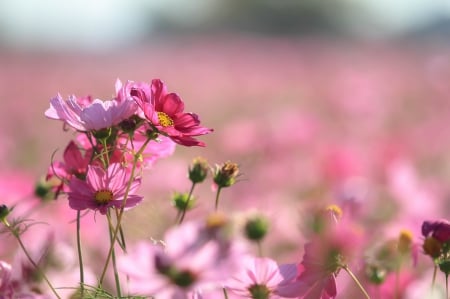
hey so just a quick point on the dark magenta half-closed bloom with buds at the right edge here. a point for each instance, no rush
(437, 243)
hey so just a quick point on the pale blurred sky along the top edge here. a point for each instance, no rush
(104, 24)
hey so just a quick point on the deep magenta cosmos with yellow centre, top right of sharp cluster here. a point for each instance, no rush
(165, 111)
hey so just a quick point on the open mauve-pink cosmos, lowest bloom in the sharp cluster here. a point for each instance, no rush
(103, 189)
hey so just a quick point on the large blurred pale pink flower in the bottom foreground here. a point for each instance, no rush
(193, 258)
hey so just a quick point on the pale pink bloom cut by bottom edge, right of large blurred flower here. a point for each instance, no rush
(261, 277)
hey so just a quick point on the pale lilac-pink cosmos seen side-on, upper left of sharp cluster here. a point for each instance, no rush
(90, 116)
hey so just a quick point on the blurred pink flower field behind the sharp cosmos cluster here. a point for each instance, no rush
(312, 124)
